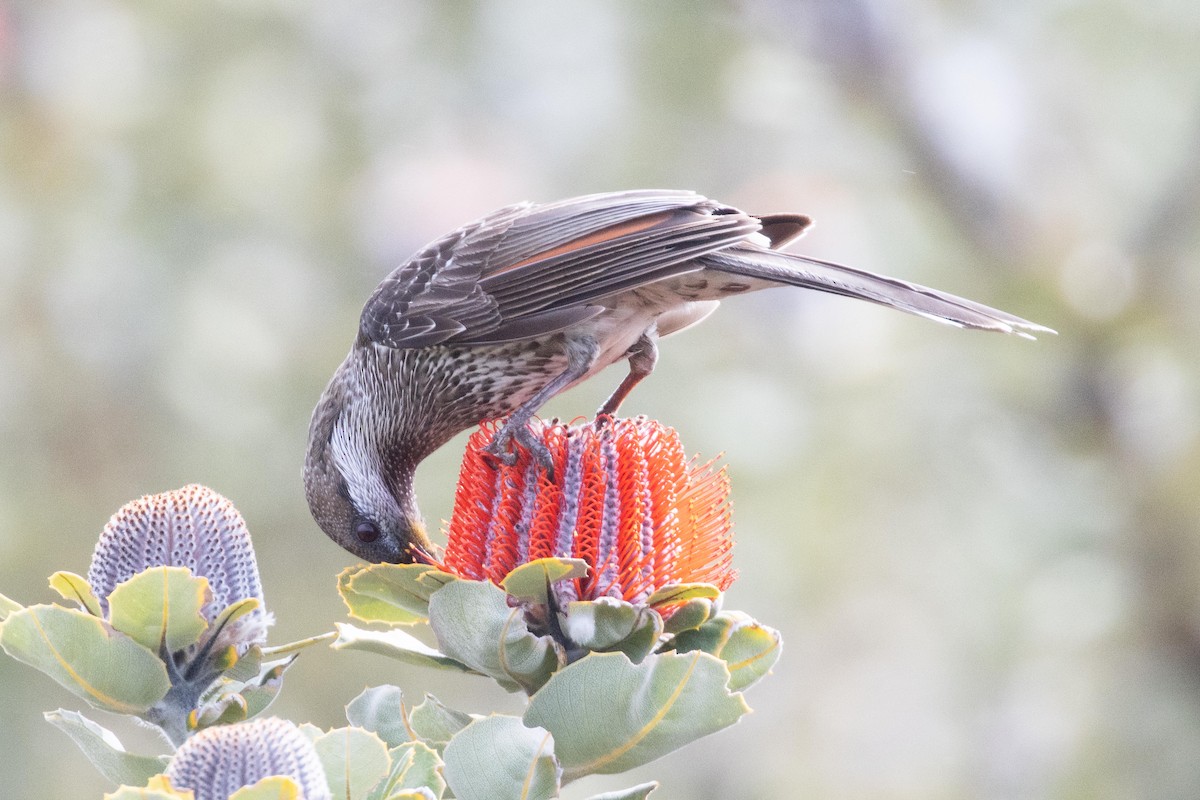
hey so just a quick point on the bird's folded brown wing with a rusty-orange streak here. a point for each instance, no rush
(530, 270)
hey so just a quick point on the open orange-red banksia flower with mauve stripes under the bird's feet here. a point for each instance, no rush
(623, 497)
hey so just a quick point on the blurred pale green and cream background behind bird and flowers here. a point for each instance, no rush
(983, 552)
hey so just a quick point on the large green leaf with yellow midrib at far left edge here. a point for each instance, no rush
(103, 666)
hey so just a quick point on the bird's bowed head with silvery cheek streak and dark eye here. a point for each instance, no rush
(362, 498)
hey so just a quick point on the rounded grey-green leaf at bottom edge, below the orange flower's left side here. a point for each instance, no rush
(500, 757)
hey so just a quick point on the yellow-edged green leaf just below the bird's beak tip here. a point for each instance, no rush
(391, 593)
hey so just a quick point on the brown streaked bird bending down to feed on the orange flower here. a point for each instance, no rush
(497, 317)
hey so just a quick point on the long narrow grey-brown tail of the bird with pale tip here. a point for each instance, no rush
(826, 276)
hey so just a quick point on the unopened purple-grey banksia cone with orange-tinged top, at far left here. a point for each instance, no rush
(191, 527)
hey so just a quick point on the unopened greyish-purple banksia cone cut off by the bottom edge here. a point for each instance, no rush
(218, 762)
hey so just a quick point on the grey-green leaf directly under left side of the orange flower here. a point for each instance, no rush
(476, 627)
